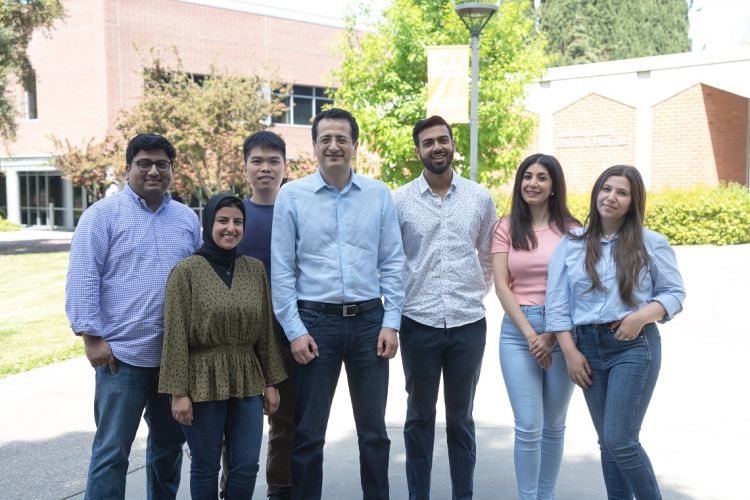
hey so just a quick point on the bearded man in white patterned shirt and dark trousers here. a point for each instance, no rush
(446, 223)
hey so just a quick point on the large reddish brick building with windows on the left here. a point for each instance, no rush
(90, 66)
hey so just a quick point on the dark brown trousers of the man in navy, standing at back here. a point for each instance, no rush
(281, 432)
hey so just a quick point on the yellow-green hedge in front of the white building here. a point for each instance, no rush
(696, 216)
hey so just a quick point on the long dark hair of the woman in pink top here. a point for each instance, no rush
(522, 234)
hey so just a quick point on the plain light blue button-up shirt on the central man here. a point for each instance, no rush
(335, 247)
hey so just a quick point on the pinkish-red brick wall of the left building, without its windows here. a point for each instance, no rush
(89, 67)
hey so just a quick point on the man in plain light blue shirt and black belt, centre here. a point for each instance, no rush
(335, 252)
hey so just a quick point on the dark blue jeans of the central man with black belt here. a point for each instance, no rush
(353, 342)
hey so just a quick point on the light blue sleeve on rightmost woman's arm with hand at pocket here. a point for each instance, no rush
(668, 287)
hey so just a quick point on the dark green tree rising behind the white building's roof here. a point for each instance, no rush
(582, 31)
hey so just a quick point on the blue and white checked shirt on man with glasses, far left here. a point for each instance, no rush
(120, 257)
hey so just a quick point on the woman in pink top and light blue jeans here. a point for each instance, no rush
(532, 364)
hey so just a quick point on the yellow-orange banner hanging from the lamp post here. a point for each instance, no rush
(448, 82)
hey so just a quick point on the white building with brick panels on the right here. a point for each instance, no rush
(682, 119)
